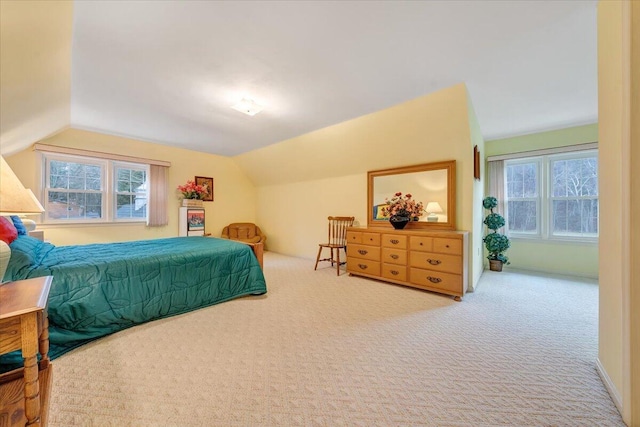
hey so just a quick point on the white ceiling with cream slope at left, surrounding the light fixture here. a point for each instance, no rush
(168, 71)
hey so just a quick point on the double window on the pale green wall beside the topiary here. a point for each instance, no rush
(553, 196)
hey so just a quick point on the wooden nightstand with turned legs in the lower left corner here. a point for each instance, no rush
(24, 392)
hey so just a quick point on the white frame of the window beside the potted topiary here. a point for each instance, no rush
(545, 195)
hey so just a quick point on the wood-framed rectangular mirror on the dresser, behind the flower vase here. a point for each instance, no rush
(433, 184)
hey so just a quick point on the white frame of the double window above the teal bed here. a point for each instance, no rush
(108, 188)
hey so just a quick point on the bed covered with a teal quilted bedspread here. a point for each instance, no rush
(99, 289)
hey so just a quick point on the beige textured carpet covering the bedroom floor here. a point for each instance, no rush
(321, 350)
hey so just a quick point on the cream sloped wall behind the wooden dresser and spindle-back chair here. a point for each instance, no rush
(302, 181)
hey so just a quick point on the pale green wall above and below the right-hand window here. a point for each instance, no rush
(577, 259)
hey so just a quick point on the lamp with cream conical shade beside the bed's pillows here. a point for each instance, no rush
(15, 199)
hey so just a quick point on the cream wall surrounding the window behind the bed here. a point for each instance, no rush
(234, 194)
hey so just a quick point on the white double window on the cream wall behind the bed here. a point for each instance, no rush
(82, 189)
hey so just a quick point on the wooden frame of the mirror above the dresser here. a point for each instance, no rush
(449, 166)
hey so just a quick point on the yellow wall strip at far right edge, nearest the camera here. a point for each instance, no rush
(619, 135)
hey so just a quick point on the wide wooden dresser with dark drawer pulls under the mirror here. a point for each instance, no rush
(431, 260)
